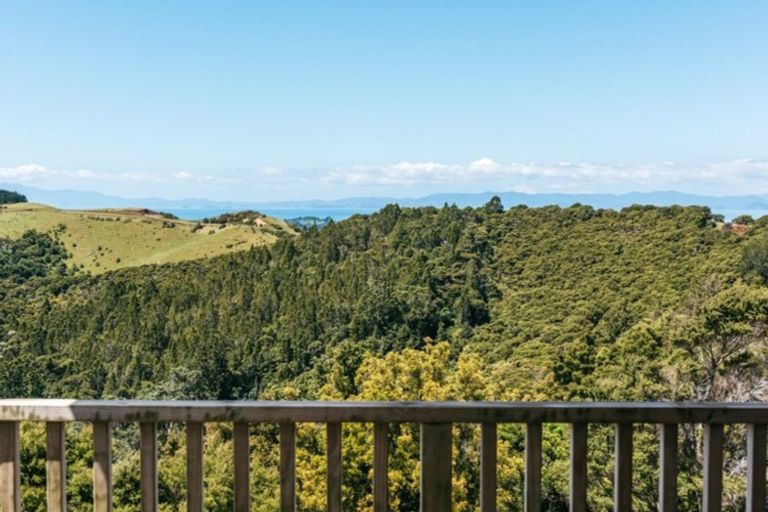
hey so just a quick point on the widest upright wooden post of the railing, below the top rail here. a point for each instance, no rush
(436, 467)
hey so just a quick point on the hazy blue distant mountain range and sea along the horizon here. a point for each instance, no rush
(729, 206)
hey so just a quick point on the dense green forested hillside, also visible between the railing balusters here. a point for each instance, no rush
(424, 303)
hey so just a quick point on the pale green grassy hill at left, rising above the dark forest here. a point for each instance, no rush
(104, 240)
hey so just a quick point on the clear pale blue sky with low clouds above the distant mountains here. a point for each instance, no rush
(286, 100)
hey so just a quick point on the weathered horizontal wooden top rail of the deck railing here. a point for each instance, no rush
(381, 412)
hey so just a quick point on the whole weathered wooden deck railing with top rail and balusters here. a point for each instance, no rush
(435, 419)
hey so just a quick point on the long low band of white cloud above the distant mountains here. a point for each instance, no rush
(741, 176)
